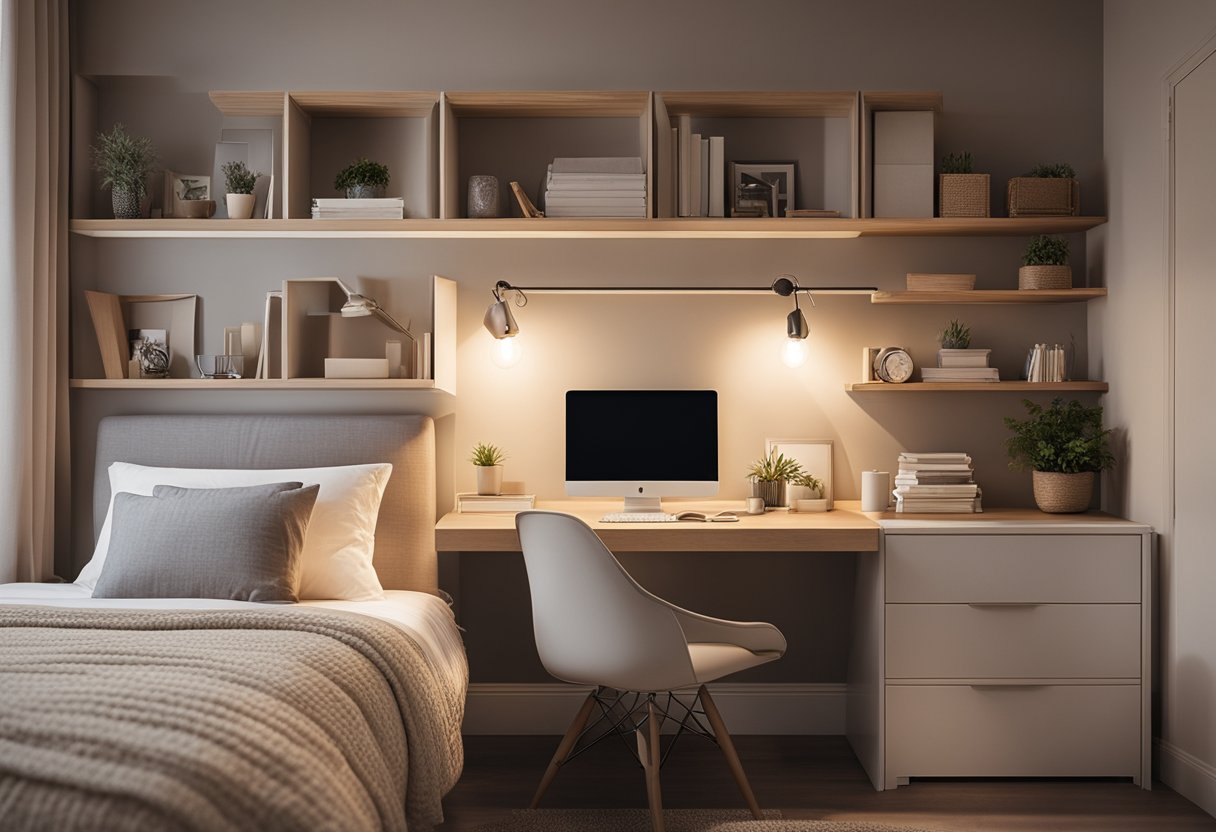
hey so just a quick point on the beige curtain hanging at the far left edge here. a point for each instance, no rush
(33, 282)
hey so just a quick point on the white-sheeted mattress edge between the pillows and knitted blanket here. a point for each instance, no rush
(423, 617)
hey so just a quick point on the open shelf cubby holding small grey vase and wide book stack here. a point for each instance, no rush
(515, 136)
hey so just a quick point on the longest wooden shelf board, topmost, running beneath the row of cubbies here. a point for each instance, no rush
(594, 229)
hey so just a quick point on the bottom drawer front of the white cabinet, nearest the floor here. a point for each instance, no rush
(1052, 732)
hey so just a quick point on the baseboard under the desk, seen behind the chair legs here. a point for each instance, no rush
(747, 709)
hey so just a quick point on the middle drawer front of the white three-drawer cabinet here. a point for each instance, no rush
(1038, 642)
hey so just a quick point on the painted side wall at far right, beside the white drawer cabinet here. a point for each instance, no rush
(1129, 338)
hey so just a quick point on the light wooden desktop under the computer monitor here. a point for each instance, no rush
(846, 530)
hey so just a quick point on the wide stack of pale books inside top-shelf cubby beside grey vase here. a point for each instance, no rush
(596, 187)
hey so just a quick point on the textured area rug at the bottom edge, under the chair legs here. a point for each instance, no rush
(677, 820)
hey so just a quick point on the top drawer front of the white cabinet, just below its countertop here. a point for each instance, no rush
(1044, 569)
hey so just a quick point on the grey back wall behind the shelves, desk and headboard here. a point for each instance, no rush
(1010, 111)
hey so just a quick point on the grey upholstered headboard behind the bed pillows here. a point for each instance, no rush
(406, 532)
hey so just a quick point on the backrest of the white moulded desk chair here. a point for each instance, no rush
(594, 625)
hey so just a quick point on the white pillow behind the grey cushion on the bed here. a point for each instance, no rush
(336, 563)
